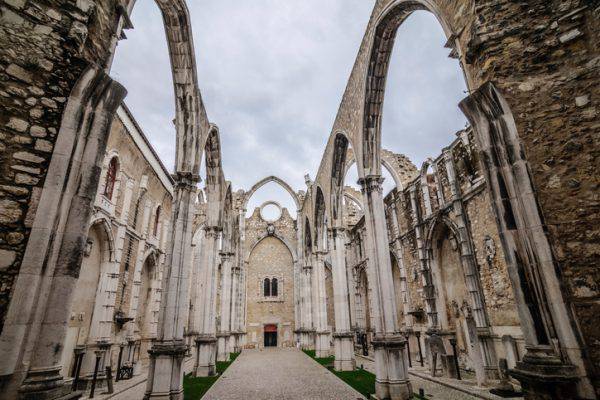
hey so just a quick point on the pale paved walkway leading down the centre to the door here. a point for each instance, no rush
(282, 374)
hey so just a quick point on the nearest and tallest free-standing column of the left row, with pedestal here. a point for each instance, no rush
(165, 372)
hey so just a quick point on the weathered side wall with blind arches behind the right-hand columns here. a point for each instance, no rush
(426, 212)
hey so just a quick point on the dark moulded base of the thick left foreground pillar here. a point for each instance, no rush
(46, 384)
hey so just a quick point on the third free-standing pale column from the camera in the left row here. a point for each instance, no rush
(224, 333)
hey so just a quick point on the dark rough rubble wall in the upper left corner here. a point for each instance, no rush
(44, 47)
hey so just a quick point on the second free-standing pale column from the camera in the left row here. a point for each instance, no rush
(206, 342)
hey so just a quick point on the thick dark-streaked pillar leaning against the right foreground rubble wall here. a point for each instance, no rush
(554, 366)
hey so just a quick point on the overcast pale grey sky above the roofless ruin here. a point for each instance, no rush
(272, 74)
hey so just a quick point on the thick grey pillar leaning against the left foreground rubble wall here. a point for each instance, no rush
(36, 323)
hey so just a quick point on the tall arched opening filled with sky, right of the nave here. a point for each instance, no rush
(423, 80)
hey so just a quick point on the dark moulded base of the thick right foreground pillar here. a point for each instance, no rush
(544, 376)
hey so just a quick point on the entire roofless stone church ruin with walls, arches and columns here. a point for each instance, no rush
(486, 256)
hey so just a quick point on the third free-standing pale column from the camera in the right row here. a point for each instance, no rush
(319, 297)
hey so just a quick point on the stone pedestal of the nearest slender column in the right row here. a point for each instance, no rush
(391, 365)
